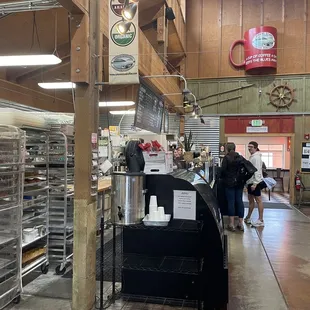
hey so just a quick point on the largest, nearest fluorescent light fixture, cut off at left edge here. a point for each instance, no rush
(29, 60)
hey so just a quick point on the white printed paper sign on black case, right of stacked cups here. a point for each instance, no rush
(184, 205)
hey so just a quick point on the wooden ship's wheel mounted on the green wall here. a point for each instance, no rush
(281, 96)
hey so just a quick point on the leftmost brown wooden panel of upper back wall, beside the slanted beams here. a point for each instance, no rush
(193, 29)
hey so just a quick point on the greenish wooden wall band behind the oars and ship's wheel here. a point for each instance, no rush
(252, 101)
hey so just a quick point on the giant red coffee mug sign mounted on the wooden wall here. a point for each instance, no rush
(260, 48)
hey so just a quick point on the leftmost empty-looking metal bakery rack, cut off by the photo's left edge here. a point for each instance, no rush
(12, 149)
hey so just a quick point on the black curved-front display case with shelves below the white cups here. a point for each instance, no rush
(186, 260)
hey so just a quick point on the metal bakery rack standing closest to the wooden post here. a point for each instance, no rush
(61, 174)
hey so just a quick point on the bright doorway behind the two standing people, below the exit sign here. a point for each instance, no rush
(276, 154)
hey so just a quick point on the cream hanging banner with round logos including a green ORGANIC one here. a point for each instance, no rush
(123, 43)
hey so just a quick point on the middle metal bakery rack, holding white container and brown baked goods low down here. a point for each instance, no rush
(35, 221)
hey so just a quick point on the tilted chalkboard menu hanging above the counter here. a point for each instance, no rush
(149, 110)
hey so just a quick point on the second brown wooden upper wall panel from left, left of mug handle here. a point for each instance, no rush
(210, 39)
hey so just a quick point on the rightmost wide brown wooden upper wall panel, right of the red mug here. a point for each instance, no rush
(293, 41)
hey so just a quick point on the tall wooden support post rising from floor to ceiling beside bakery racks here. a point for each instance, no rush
(86, 123)
